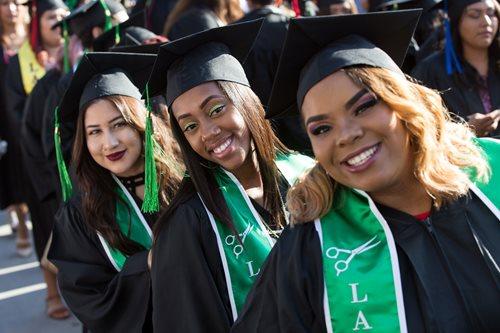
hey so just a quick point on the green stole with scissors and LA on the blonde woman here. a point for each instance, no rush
(360, 264)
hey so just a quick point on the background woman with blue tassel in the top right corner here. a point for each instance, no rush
(468, 70)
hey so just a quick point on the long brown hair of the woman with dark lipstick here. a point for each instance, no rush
(98, 187)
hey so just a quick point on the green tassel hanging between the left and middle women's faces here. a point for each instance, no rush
(151, 202)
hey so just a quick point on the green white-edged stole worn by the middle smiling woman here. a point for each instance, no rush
(242, 261)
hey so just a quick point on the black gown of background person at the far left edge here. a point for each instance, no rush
(15, 98)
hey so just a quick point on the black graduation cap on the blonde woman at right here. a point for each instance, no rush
(316, 47)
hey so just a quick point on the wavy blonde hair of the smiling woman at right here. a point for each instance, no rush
(442, 147)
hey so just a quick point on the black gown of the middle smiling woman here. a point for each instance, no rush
(189, 285)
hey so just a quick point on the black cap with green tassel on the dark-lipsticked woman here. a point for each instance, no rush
(99, 75)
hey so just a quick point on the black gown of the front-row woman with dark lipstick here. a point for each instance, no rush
(103, 299)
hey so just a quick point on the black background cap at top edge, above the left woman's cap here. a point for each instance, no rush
(89, 15)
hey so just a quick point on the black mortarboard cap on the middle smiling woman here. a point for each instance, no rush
(211, 55)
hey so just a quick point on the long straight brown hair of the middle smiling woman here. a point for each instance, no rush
(266, 146)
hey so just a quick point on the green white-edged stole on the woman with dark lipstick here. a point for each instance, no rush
(132, 224)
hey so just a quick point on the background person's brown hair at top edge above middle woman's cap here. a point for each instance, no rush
(226, 10)
